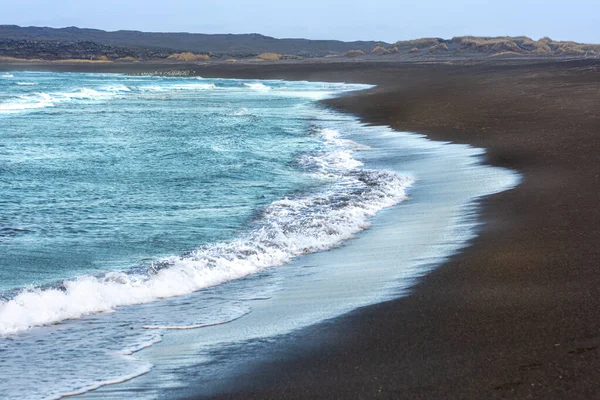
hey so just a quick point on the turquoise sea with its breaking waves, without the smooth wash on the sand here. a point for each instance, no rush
(118, 191)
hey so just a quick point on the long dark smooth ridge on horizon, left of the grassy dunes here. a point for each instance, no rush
(229, 44)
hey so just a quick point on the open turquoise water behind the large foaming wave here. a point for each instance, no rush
(101, 172)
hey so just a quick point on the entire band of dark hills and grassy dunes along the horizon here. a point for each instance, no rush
(39, 43)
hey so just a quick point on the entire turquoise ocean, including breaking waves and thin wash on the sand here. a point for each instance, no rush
(140, 213)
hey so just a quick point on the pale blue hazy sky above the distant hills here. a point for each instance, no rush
(387, 20)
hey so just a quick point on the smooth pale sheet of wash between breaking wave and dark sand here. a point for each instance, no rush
(432, 224)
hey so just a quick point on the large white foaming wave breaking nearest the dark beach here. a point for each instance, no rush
(287, 228)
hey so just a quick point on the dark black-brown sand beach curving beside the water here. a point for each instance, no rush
(517, 314)
